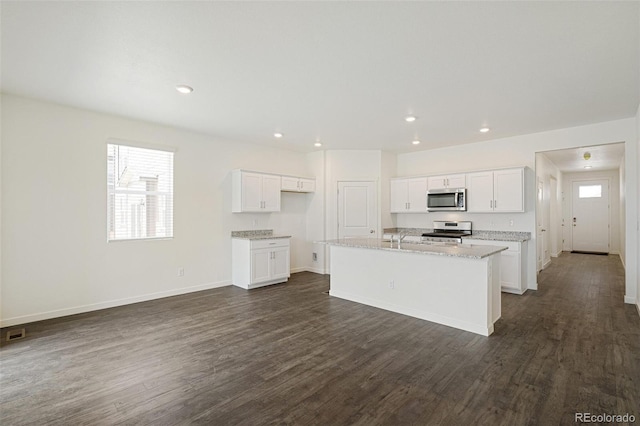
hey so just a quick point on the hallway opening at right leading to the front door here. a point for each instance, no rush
(580, 201)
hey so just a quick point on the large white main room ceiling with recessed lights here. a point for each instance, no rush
(345, 73)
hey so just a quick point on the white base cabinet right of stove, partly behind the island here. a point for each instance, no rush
(513, 275)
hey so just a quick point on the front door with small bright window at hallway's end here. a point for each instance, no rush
(590, 217)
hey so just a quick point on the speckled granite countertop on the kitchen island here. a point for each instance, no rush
(471, 251)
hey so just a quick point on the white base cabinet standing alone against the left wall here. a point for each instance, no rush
(256, 263)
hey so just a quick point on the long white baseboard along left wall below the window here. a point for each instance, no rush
(24, 319)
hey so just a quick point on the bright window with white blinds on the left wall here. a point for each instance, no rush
(140, 193)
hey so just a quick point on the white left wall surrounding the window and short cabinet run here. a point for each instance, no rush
(56, 260)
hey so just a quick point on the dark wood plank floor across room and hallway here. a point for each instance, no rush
(291, 354)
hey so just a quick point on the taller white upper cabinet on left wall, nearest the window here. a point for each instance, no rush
(255, 192)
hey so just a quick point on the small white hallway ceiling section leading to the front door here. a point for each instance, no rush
(602, 157)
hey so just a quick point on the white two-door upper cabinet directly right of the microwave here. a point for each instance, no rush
(496, 191)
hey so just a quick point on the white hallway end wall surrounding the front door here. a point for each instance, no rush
(614, 201)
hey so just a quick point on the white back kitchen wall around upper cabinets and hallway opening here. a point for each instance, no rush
(520, 151)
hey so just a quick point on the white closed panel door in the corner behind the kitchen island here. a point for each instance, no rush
(357, 209)
